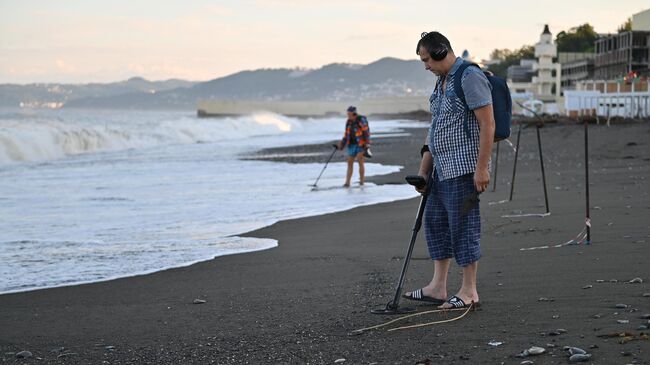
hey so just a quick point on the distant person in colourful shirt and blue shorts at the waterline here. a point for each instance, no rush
(357, 139)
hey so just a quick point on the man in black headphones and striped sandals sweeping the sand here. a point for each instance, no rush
(456, 156)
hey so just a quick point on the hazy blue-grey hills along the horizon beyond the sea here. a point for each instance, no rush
(333, 82)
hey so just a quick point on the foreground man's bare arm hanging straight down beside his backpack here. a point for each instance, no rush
(485, 117)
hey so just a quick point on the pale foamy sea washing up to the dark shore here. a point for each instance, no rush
(88, 196)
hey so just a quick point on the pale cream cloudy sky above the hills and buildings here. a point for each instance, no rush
(81, 41)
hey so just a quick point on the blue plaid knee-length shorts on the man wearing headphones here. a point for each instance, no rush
(448, 233)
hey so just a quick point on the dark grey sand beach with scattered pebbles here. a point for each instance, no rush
(298, 303)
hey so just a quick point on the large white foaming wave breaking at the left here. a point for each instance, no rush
(50, 137)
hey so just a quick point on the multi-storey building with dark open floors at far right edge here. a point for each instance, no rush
(621, 54)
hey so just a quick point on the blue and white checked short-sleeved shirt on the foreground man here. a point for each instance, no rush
(454, 151)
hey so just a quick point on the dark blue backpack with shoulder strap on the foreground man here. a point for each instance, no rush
(501, 101)
